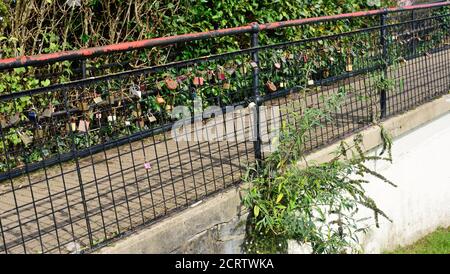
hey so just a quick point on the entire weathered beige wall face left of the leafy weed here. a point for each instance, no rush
(216, 225)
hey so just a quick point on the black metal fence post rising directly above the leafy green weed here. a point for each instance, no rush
(256, 94)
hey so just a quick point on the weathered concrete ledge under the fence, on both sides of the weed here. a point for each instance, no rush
(224, 210)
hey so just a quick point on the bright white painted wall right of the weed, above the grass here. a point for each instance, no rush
(421, 202)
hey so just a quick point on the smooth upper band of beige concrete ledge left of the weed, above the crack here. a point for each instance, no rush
(169, 235)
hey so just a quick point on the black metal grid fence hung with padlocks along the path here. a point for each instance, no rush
(91, 153)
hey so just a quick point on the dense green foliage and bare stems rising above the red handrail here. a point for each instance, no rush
(31, 27)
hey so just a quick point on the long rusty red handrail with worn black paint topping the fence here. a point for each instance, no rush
(41, 59)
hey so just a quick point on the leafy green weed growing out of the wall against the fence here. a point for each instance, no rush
(317, 203)
